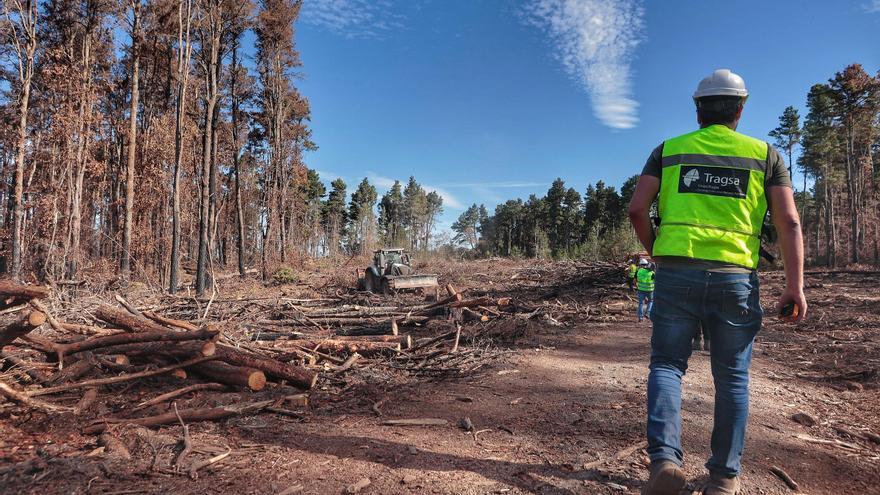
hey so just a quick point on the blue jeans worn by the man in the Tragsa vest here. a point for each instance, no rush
(727, 305)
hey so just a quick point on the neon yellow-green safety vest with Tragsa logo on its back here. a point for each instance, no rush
(711, 200)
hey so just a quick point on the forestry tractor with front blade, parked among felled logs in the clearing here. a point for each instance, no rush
(392, 271)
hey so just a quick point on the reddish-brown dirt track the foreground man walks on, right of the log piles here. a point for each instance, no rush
(571, 400)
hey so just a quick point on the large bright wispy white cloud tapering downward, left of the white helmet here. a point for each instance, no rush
(595, 41)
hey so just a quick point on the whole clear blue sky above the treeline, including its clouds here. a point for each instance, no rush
(487, 100)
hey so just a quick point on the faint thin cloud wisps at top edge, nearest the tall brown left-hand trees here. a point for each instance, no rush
(353, 18)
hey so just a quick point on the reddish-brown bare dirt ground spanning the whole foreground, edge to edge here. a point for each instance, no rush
(563, 413)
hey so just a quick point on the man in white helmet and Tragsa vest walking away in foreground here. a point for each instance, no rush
(713, 187)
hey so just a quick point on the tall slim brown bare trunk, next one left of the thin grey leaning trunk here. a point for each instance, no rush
(125, 261)
